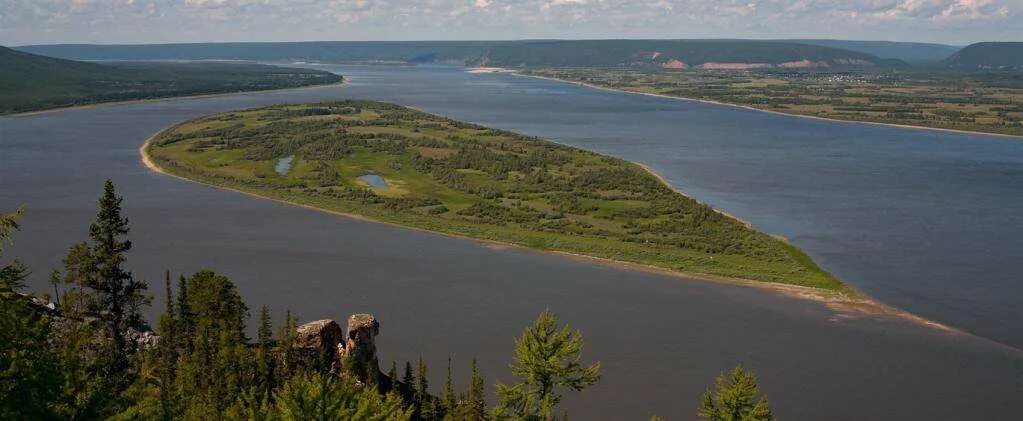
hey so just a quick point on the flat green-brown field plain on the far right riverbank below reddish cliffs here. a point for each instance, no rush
(990, 103)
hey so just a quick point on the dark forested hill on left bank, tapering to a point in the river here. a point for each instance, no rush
(30, 82)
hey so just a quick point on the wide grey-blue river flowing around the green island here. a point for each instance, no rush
(929, 222)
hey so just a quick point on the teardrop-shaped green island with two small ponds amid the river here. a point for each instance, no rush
(396, 165)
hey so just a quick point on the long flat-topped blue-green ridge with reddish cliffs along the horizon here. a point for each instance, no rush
(507, 54)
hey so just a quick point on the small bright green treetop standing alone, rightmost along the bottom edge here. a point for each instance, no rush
(735, 399)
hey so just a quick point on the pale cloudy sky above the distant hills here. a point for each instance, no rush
(955, 22)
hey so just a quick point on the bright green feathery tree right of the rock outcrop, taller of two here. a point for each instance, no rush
(548, 360)
